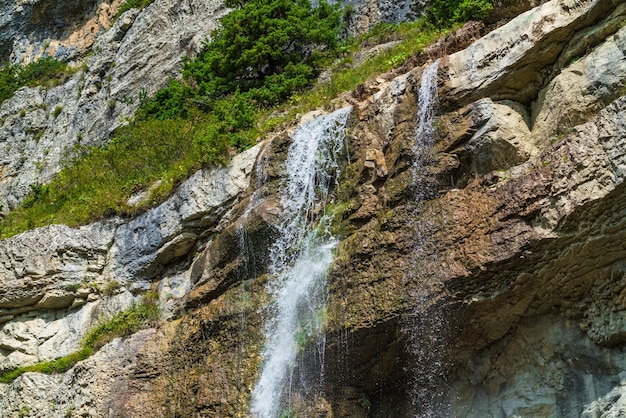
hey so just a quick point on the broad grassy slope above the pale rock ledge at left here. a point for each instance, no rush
(98, 182)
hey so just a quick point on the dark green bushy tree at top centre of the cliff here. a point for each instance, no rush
(267, 49)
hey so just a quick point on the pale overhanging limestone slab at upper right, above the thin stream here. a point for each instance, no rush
(510, 63)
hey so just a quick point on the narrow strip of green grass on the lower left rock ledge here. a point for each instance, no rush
(123, 324)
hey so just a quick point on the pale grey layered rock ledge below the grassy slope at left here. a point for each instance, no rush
(58, 282)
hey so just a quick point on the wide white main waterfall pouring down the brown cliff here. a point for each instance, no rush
(300, 258)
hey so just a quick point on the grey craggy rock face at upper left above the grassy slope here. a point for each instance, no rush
(133, 58)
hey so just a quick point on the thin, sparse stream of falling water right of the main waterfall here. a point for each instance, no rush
(426, 326)
